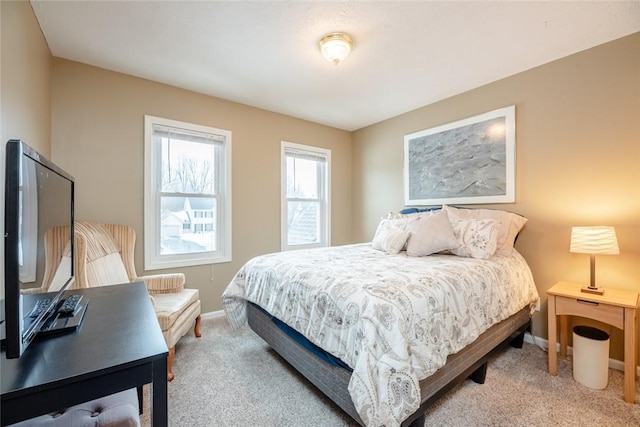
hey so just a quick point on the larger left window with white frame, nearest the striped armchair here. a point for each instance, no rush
(187, 206)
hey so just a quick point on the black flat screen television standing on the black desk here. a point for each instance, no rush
(39, 198)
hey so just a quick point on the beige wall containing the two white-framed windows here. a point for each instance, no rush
(98, 137)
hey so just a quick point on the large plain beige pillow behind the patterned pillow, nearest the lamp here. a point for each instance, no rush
(509, 227)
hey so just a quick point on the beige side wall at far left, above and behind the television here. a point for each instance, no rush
(25, 87)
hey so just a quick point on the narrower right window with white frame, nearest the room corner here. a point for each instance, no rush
(306, 180)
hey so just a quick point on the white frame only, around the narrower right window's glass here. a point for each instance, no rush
(324, 194)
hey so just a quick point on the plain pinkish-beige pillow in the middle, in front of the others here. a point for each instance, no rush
(431, 234)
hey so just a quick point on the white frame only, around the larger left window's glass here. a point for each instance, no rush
(152, 181)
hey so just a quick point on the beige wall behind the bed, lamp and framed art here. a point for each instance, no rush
(578, 162)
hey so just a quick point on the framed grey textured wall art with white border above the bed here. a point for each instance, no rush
(465, 162)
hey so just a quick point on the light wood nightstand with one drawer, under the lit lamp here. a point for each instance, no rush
(615, 307)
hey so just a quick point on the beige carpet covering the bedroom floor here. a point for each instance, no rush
(232, 378)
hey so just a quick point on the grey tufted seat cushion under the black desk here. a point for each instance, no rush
(117, 410)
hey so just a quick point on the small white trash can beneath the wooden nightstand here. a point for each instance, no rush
(591, 357)
